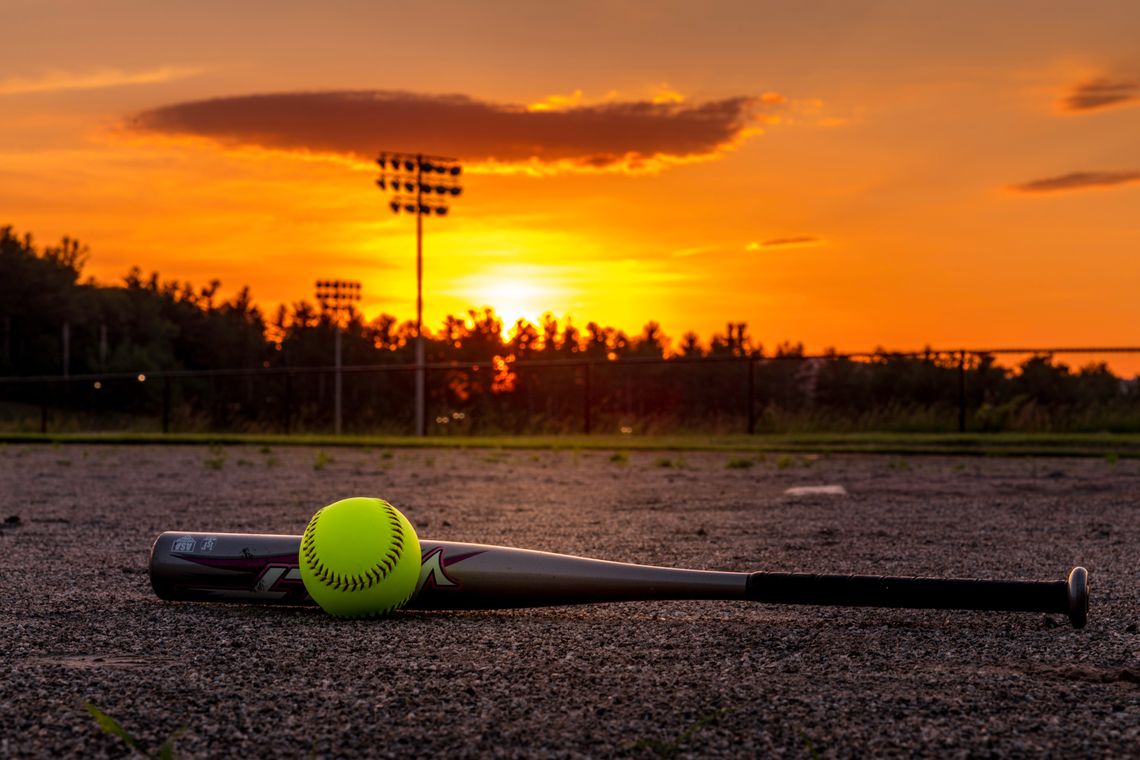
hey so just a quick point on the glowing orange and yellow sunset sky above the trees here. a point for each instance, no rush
(848, 175)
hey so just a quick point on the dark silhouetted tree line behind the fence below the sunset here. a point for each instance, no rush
(54, 322)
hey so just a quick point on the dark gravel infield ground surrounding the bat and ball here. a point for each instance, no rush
(79, 620)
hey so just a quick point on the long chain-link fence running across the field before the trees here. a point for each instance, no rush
(1060, 389)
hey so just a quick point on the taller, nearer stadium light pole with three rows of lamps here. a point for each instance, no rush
(420, 185)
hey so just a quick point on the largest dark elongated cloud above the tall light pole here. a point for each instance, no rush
(563, 135)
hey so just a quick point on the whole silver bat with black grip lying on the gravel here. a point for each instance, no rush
(263, 569)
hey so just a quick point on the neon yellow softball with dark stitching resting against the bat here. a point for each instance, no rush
(360, 559)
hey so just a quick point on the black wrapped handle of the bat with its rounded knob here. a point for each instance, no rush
(1069, 598)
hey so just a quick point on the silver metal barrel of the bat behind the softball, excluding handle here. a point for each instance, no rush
(264, 569)
